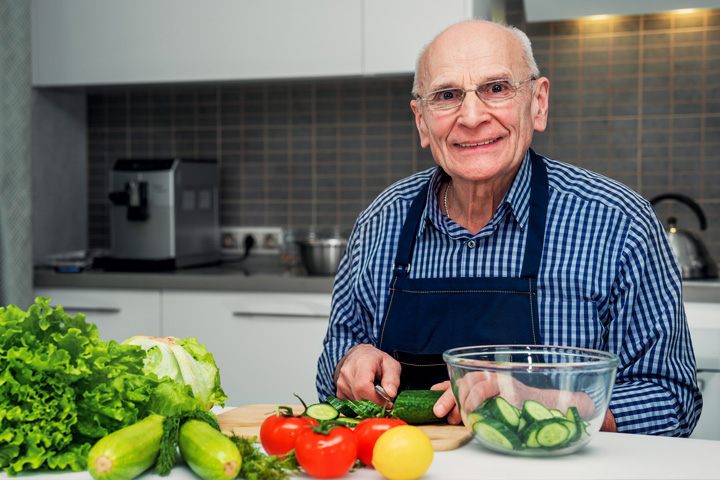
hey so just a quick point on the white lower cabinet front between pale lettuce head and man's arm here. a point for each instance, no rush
(266, 345)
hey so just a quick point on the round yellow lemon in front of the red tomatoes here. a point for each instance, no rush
(402, 453)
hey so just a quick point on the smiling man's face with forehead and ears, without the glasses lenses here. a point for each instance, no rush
(479, 141)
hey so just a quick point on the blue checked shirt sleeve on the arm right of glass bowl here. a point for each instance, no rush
(656, 388)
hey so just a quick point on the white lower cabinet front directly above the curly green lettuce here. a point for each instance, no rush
(118, 314)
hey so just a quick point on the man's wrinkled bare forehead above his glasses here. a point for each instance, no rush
(466, 57)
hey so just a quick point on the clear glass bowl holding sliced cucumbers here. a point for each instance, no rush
(532, 400)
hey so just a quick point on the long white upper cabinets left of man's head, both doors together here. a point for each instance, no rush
(105, 42)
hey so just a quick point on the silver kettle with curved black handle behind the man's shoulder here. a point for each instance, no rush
(692, 254)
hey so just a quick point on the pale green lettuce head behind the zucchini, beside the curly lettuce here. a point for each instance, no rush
(185, 361)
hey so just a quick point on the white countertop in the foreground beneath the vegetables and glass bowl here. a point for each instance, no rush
(608, 456)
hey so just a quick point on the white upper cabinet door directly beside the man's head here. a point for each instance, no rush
(396, 30)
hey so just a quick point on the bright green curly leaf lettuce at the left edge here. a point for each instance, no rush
(62, 388)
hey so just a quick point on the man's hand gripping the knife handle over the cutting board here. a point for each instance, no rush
(357, 372)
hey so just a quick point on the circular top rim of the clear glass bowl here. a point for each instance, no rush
(598, 359)
